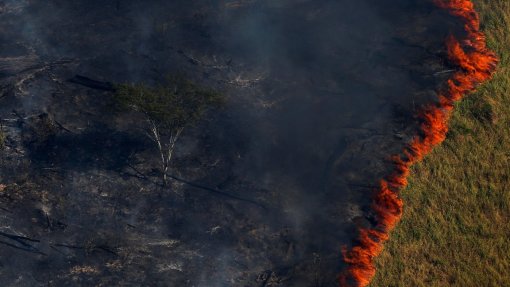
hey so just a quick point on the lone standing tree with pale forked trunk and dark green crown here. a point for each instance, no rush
(168, 109)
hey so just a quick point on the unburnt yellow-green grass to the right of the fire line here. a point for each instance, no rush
(455, 230)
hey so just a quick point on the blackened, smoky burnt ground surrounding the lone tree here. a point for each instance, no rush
(319, 92)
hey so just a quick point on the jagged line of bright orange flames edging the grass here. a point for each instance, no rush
(476, 64)
